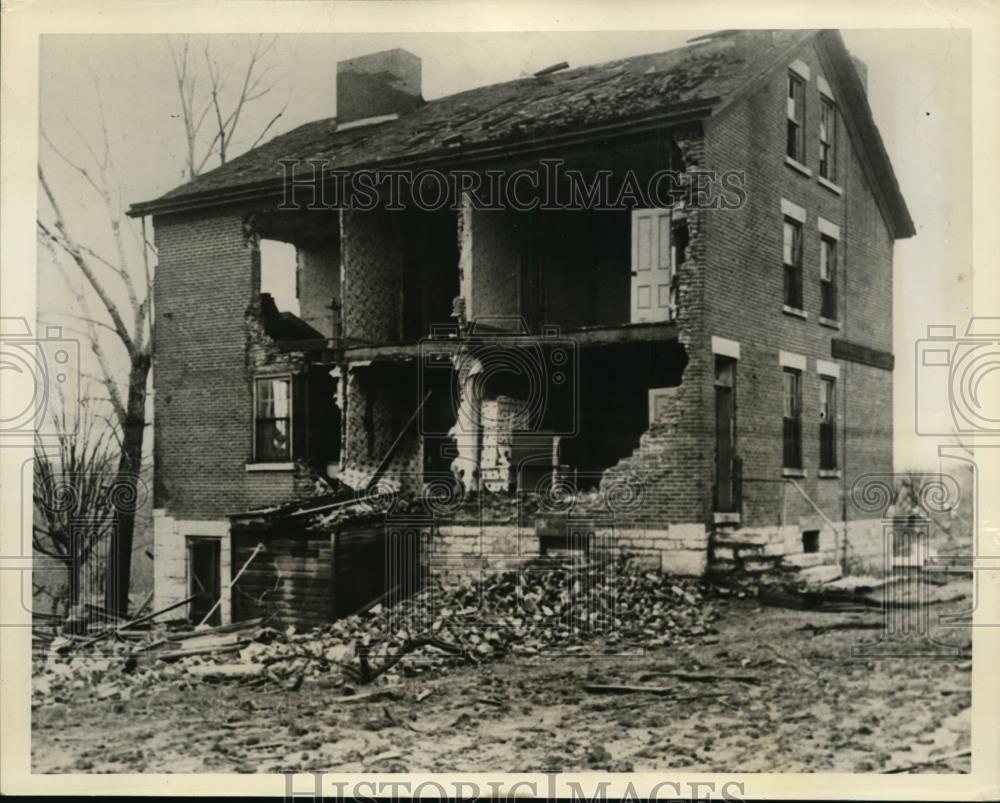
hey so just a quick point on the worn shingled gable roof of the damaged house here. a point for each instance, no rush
(595, 100)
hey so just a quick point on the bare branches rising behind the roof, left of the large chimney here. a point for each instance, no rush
(206, 98)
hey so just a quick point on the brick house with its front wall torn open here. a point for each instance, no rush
(701, 386)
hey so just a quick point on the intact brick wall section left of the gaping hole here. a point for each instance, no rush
(207, 277)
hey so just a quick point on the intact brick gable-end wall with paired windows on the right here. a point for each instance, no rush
(743, 301)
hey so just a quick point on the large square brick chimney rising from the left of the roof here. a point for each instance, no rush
(378, 84)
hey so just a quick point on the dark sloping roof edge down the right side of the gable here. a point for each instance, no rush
(853, 99)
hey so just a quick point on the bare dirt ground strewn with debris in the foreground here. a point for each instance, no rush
(803, 705)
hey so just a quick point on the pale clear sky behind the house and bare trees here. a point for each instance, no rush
(919, 85)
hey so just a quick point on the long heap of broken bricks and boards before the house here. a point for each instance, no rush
(589, 609)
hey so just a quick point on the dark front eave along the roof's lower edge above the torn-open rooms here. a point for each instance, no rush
(680, 113)
